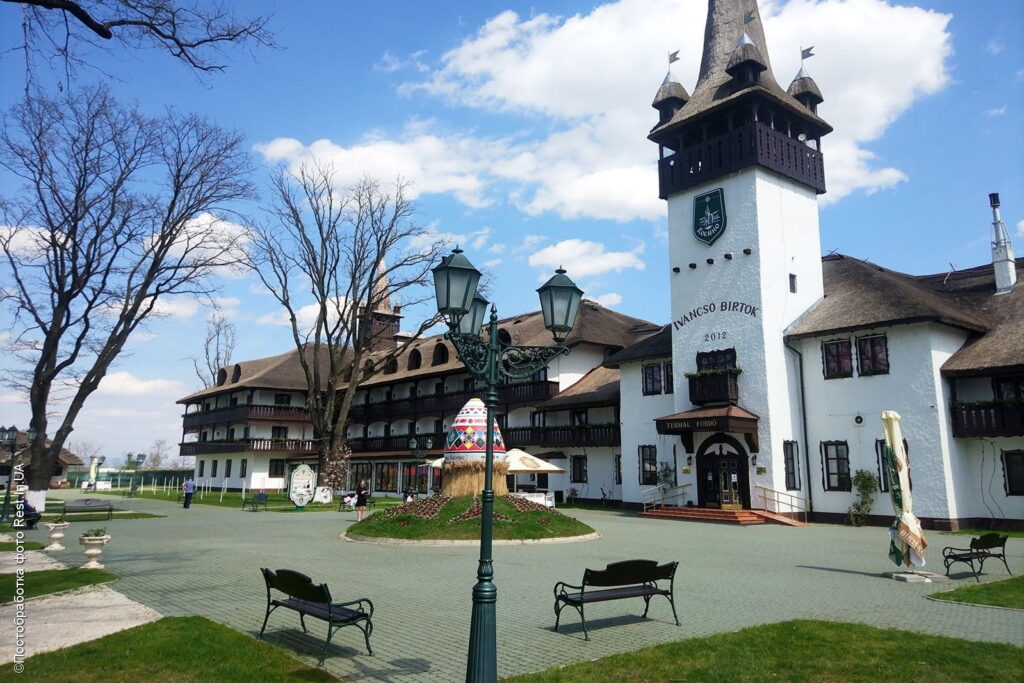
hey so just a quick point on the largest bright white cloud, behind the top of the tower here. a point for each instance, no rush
(587, 82)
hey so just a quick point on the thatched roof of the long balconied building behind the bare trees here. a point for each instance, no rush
(595, 325)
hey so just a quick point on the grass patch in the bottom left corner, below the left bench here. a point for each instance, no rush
(174, 650)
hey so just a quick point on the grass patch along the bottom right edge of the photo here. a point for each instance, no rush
(803, 651)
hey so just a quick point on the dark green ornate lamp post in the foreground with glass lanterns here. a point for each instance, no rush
(492, 361)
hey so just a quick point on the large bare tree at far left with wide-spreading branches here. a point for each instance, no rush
(114, 217)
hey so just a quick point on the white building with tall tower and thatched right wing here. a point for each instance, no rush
(784, 362)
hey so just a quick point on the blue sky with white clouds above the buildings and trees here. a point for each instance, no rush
(524, 133)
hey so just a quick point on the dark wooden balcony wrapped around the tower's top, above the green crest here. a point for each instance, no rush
(754, 144)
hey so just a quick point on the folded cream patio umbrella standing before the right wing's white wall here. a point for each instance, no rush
(908, 542)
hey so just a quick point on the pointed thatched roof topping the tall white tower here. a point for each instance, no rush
(715, 90)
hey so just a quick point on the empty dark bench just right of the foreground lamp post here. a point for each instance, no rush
(629, 579)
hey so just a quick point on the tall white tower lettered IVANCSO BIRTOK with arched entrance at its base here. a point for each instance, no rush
(741, 167)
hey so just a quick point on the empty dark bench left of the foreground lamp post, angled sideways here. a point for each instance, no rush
(315, 601)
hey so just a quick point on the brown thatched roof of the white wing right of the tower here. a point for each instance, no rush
(861, 295)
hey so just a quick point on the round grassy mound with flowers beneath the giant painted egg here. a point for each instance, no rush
(544, 524)
